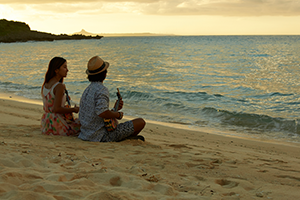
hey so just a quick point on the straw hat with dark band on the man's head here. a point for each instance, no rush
(96, 65)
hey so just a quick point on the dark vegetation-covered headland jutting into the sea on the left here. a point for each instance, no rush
(12, 31)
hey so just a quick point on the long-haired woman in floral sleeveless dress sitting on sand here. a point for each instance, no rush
(54, 120)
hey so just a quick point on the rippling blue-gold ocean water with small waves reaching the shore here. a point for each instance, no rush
(229, 84)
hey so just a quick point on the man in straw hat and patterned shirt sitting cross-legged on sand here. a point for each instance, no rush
(94, 108)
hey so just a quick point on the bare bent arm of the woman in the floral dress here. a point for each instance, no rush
(59, 93)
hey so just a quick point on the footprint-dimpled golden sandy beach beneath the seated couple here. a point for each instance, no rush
(173, 163)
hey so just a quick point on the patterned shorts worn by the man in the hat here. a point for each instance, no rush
(122, 131)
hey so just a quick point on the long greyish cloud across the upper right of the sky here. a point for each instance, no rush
(226, 7)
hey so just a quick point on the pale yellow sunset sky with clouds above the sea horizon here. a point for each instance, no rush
(179, 17)
